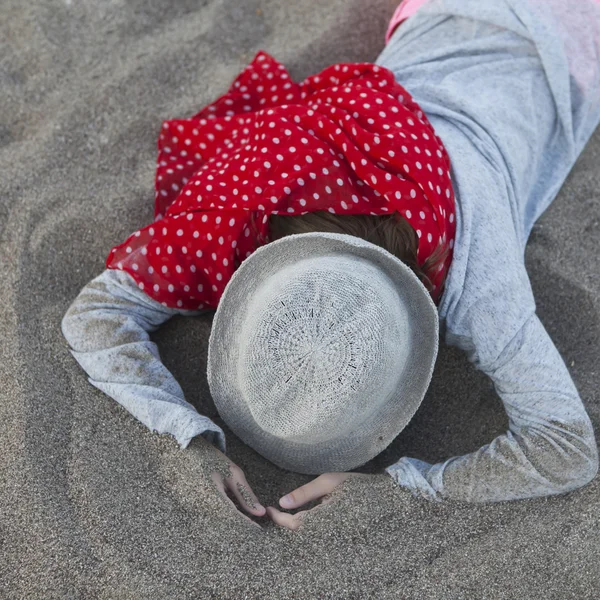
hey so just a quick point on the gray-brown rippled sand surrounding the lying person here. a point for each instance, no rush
(94, 505)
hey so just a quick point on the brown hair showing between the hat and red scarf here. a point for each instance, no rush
(391, 232)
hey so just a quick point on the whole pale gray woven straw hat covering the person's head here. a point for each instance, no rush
(321, 350)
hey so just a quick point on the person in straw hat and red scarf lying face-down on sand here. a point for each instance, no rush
(335, 225)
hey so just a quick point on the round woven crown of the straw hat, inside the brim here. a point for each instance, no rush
(324, 342)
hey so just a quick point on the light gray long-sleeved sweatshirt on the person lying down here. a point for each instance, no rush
(513, 90)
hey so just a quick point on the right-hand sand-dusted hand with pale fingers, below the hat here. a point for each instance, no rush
(317, 488)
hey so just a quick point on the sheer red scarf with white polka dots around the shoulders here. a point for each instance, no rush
(349, 140)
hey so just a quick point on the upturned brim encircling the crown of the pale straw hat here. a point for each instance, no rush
(385, 423)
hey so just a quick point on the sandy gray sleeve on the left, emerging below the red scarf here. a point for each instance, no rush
(107, 328)
